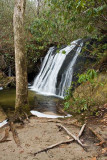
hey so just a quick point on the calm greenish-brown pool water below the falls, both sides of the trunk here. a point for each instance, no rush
(46, 104)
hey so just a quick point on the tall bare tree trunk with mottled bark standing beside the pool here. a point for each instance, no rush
(21, 103)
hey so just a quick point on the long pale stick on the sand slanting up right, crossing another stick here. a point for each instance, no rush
(62, 142)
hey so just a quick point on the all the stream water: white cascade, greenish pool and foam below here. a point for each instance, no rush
(50, 84)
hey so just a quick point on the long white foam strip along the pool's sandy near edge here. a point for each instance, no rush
(39, 114)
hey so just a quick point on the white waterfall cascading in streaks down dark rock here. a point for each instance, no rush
(46, 81)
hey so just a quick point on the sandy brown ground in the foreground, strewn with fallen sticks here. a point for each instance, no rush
(39, 133)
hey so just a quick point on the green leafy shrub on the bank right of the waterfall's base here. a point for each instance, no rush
(82, 102)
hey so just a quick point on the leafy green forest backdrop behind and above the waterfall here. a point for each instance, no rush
(50, 23)
